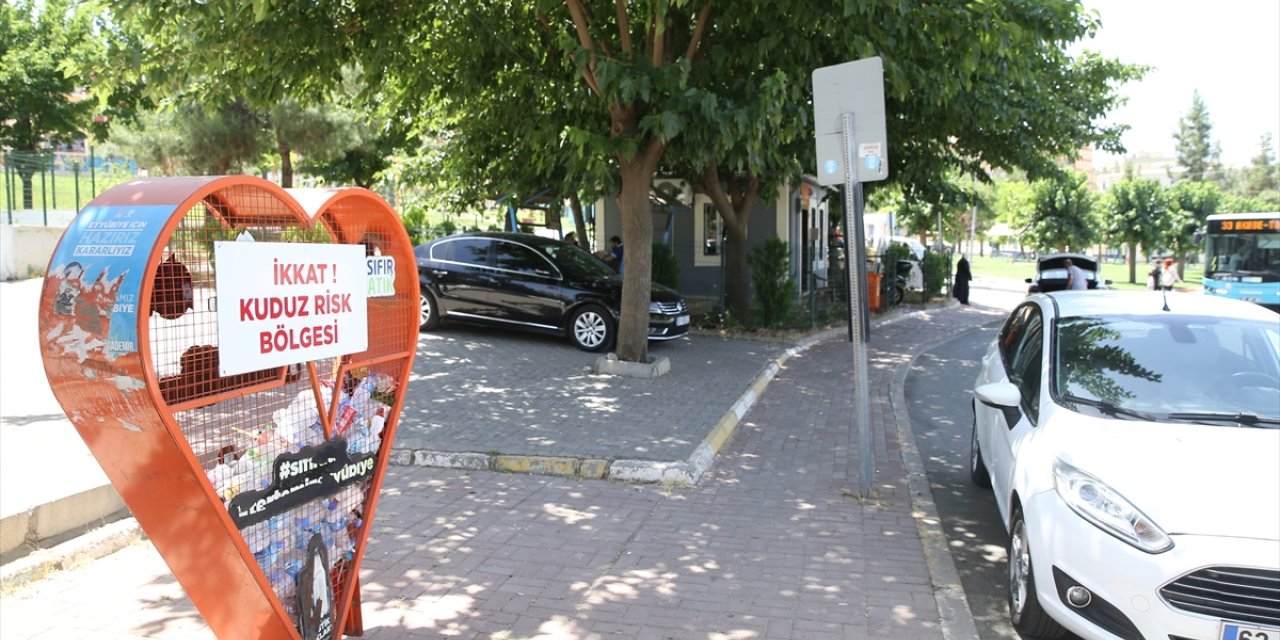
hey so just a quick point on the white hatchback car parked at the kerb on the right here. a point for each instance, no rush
(1133, 445)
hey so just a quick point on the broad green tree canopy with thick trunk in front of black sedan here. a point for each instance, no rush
(595, 97)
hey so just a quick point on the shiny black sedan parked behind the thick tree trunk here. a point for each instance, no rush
(529, 282)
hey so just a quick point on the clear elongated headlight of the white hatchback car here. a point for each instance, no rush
(1103, 506)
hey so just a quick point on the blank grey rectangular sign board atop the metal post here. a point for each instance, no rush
(857, 89)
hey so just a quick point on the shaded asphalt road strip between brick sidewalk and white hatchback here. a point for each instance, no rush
(939, 395)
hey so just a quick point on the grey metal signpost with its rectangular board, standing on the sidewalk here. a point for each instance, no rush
(853, 149)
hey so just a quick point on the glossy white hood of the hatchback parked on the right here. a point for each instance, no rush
(1190, 479)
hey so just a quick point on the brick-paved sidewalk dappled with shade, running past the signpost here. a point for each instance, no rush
(771, 545)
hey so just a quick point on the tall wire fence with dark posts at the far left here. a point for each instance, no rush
(47, 189)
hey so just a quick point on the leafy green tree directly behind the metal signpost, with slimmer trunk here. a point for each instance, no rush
(1012, 99)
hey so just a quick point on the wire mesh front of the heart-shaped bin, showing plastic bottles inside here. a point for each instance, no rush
(246, 429)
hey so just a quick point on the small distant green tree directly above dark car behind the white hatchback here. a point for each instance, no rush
(1063, 216)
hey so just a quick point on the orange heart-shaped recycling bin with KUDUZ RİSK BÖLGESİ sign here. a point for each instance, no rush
(235, 355)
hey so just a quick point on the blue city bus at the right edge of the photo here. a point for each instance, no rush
(1242, 258)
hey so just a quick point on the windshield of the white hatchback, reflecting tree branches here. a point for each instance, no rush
(1204, 369)
